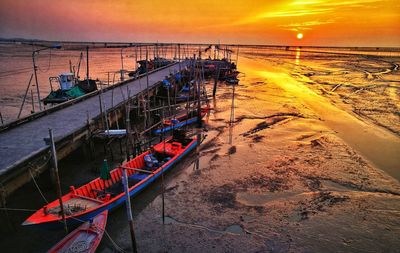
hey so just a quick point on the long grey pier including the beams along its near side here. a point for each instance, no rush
(23, 149)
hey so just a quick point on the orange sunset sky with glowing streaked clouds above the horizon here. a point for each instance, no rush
(271, 22)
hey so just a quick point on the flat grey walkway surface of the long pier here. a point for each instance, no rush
(21, 143)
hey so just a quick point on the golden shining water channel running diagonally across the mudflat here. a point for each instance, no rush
(359, 134)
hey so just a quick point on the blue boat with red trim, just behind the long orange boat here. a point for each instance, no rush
(180, 121)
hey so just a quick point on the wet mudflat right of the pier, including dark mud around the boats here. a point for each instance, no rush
(309, 164)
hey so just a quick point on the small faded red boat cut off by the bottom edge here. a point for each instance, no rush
(86, 238)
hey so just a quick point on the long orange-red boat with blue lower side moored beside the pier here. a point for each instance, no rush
(98, 195)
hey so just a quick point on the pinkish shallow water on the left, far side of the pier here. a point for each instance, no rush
(16, 67)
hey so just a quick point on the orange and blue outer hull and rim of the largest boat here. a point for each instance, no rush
(40, 219)
